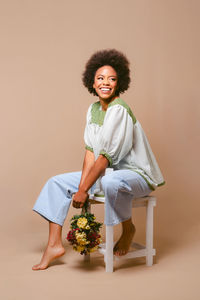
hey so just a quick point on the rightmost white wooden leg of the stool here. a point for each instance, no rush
(149, 233)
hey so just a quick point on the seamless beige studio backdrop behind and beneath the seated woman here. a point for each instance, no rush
(44, 47)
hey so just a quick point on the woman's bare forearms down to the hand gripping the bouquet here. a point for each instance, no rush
(90, 174)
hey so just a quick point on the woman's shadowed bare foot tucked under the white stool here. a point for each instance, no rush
(123, 244)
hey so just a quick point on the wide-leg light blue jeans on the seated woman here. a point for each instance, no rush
(119, 187)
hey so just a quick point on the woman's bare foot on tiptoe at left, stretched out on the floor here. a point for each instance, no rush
(50, 254)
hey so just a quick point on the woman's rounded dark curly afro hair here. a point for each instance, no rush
(108, 57)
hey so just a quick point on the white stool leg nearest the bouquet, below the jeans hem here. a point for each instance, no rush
(109, 249)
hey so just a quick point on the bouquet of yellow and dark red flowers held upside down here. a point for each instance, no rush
(84, 235)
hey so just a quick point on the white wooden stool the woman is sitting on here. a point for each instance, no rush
(141, 251)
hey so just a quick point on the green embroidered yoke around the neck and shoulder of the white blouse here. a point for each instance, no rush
(98, 114)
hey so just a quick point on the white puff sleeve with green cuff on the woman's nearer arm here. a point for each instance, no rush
(116, 138)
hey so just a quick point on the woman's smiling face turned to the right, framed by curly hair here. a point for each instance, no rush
(105, 83)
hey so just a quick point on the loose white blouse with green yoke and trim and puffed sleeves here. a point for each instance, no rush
(116, 134)
